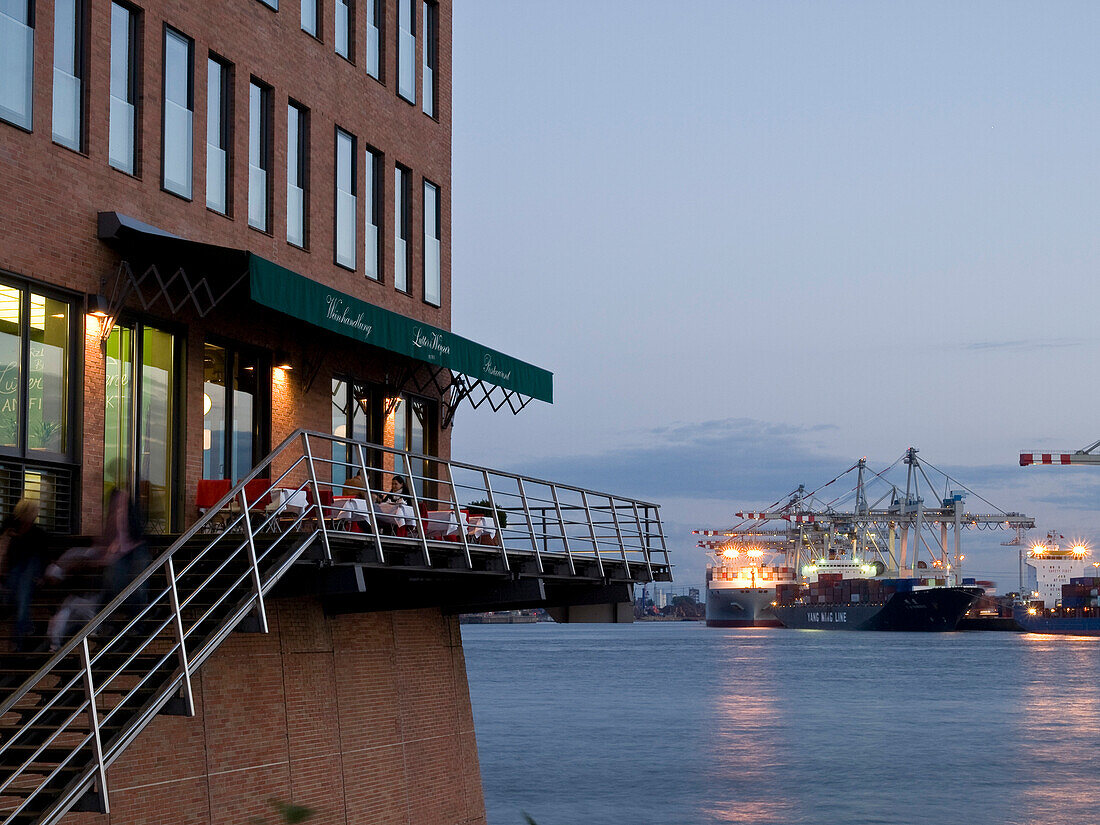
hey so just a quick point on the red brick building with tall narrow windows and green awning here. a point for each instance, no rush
(224, 223)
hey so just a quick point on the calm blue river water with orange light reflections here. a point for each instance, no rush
(678, 724)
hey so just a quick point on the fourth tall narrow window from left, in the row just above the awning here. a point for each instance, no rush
(179, 113)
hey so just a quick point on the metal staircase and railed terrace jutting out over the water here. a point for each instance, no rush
(65, 718)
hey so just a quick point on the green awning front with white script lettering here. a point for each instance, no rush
(287, 292)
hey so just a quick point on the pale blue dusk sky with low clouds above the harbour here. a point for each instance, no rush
(755, 241)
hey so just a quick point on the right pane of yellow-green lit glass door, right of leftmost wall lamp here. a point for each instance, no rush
(155, 459)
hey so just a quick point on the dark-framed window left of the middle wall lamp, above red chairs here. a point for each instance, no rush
(234, 438)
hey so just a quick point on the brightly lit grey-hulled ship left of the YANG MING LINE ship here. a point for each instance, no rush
(742, 585)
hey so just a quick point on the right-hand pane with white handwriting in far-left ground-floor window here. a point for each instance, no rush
(48, 387)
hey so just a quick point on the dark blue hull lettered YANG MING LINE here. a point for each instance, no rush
(932, 610)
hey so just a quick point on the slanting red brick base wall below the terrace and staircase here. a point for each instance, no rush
(365, 719)
